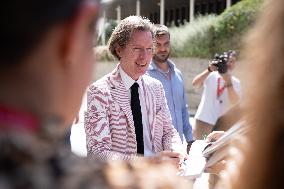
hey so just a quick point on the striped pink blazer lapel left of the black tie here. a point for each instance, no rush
(120, 95)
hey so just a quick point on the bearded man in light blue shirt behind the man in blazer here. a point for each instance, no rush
(165, 71)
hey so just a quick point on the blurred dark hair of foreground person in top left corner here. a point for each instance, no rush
(25, 22)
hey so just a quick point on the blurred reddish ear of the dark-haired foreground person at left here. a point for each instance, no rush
(79, 32)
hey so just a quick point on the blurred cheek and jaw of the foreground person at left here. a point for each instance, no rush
(80, 74)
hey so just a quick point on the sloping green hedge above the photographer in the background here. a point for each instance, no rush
(212, 34)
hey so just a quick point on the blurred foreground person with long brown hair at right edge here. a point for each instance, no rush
(261, 162)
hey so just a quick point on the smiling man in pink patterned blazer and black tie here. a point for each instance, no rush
(113, 130)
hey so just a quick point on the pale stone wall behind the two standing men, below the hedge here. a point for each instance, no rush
(190, 67)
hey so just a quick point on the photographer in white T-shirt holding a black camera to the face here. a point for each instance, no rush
(221, 91)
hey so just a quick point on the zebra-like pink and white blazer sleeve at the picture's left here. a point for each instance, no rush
(97, 128)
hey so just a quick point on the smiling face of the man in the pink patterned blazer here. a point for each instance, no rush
(136, 55)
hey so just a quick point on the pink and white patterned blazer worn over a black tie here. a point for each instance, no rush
(109, 124)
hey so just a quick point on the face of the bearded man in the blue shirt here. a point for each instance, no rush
(162, 48)
